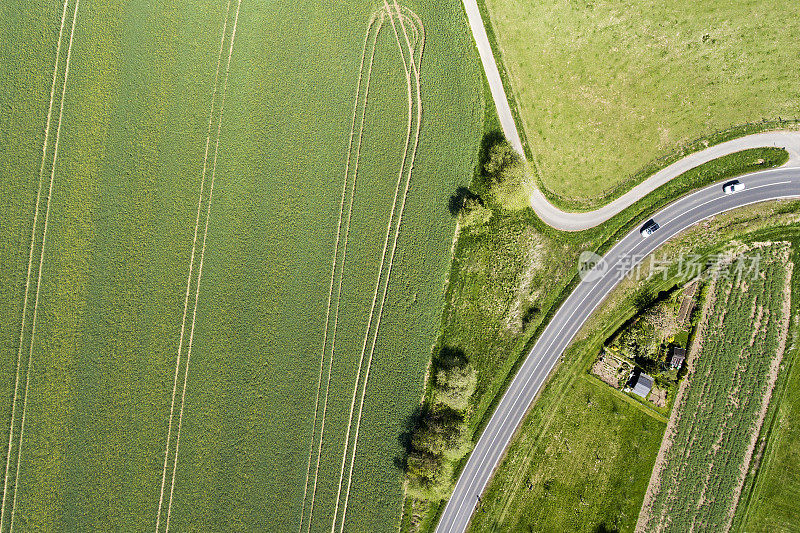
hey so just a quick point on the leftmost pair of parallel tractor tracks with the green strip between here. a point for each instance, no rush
(8, 483)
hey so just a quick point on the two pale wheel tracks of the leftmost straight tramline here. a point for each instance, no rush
(41, 263)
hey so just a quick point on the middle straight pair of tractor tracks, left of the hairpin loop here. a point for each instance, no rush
(193, 280)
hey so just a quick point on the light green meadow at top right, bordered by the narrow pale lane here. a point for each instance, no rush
(603, 88)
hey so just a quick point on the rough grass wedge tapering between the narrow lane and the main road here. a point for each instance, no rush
(559, 251)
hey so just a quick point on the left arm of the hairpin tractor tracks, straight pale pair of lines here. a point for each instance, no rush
(370, 25)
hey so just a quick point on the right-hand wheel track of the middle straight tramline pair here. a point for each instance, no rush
(202, 257)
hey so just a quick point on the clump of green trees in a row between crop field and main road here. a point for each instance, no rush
(440, 433)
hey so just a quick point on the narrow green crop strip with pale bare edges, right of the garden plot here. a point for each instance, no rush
(733, 366)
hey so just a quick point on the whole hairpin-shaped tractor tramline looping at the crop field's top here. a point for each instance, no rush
(414, 44)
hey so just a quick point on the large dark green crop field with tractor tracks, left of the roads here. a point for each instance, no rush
(166, 357)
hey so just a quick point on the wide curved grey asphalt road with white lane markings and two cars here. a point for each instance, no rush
(576, 309)
